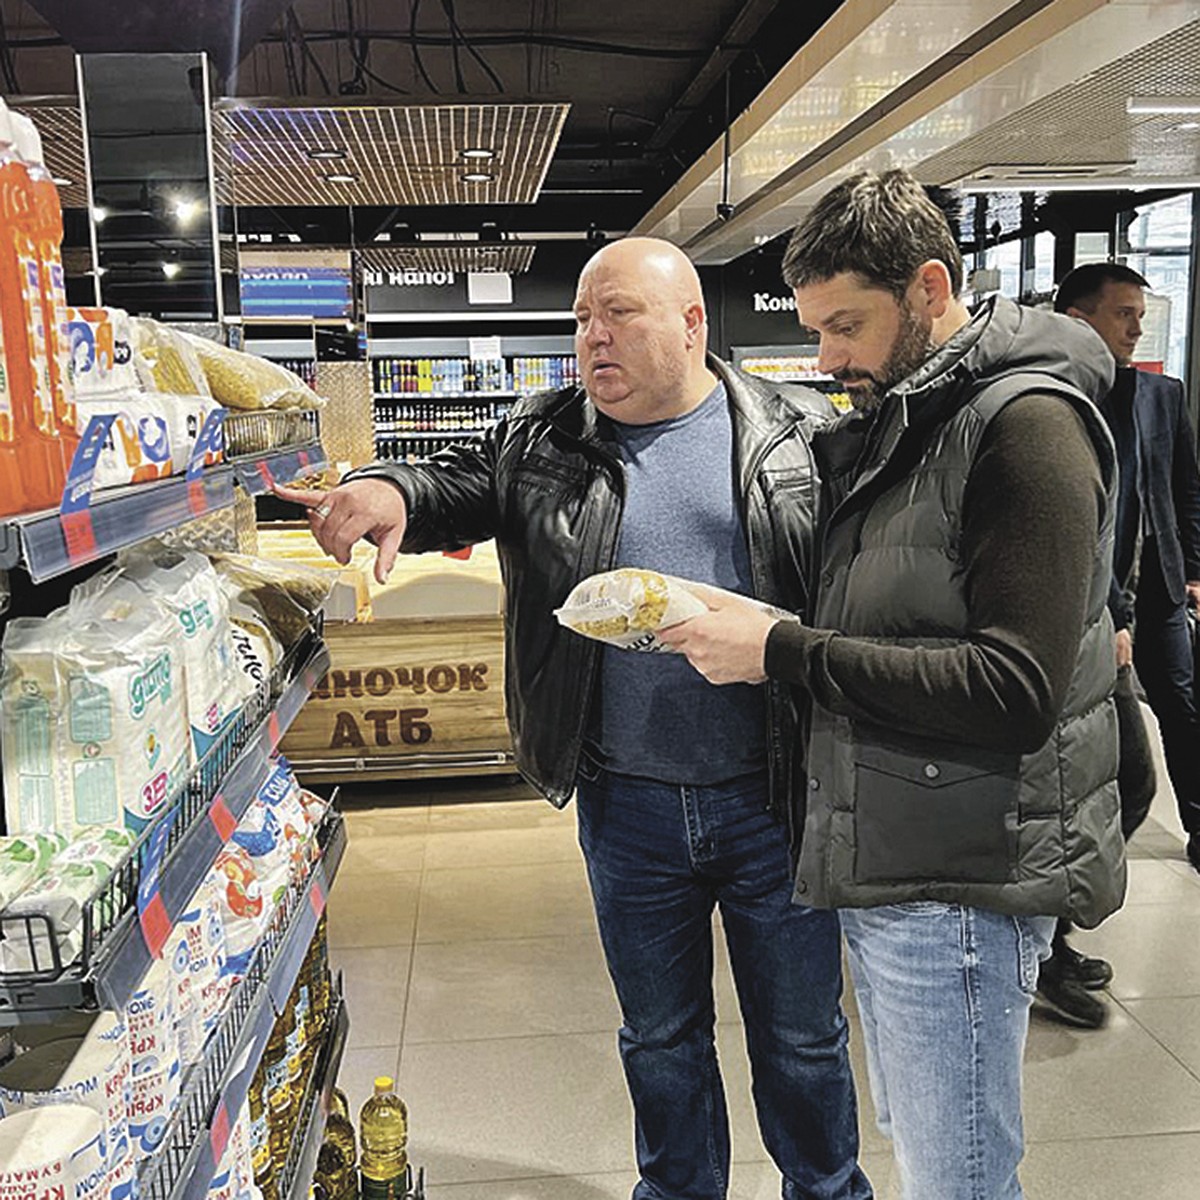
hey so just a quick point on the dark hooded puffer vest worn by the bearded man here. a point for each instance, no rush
(895, 818)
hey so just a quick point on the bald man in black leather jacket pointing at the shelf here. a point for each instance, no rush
(686, 793)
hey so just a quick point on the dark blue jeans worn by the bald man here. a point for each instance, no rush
(659, 859)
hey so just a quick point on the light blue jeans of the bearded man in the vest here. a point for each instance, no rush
(945, 994)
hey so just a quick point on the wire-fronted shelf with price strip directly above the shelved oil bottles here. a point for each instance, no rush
(215, 1089)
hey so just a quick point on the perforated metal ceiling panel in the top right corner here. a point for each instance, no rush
(1088, 123)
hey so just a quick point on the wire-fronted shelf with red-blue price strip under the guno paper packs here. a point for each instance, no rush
(117, 941)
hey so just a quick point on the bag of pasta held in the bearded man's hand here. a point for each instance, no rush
(625, 608)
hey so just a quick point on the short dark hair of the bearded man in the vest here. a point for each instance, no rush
(879, 227)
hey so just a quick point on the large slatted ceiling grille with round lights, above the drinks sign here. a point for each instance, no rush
(380, 154)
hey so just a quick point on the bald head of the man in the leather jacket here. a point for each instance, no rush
(641, 332)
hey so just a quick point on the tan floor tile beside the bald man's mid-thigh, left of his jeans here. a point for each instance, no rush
(478, 904)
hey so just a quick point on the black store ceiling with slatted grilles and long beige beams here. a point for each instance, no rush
(953, 89)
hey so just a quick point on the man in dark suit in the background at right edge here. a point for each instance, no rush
(1156, 577)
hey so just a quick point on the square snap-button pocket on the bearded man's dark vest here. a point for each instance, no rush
(921, 817)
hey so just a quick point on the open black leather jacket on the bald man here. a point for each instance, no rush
(545, 483)
